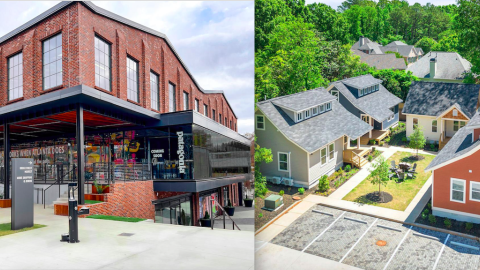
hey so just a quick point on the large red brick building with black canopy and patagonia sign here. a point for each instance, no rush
(80, 75)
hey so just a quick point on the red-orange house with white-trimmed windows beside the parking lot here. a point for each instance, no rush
(456, 175)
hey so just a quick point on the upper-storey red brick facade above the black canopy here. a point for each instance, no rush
(79, 25)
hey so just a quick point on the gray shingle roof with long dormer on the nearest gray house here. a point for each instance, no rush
(316, 132)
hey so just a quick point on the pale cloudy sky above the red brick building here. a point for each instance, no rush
(214, 38)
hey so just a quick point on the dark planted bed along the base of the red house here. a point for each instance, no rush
(439, 222)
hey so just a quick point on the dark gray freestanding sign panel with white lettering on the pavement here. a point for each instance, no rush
(22, 193)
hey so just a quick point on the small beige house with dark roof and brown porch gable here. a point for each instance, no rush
(440, 109)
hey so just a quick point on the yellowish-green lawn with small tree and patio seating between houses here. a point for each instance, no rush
(403, 192)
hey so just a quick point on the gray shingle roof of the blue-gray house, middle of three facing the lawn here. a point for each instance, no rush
(376, 104)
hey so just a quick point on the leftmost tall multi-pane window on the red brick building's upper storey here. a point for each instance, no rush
(15, 76)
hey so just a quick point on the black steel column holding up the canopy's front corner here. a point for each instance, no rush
(80, 155)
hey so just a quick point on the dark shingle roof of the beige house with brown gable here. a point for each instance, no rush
(433, 98)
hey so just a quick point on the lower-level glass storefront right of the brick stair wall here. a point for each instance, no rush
(177, 210)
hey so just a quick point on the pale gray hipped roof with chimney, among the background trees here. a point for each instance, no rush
(450, 66)
